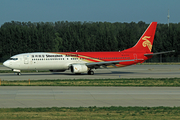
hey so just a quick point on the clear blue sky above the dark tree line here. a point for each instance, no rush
(89, 10)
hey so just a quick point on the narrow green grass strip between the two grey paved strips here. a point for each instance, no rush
(173, 82)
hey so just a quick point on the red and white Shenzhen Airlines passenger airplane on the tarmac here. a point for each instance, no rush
(81, 62)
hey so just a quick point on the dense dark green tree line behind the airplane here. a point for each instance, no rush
(23, 37)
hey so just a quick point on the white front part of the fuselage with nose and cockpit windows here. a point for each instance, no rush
(41, 61)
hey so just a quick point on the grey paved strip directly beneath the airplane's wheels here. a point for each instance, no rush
(134, 71)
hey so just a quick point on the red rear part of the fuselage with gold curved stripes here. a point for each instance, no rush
(107, 56)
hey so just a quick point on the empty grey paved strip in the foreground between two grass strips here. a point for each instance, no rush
(38, 96)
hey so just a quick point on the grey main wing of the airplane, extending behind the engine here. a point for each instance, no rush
(104, 64)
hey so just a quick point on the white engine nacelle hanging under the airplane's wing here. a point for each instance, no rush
(79, 68)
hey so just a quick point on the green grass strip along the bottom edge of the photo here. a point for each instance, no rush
(91, 113)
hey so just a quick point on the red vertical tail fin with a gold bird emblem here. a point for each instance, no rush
(146, 41)
